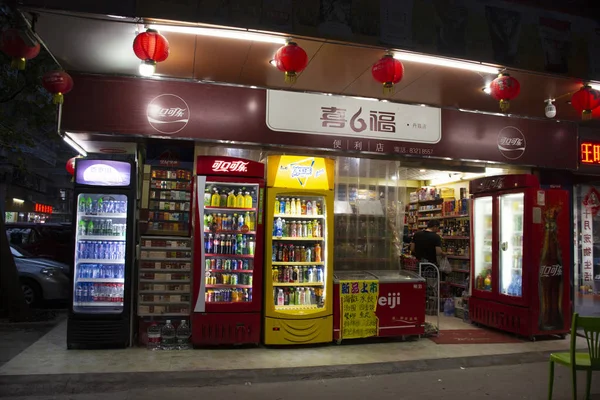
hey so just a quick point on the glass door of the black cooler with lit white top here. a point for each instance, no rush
(99, 268)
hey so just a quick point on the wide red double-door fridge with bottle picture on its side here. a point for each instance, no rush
(520, 256)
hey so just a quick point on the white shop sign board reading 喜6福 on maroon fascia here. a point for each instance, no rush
(348, 116)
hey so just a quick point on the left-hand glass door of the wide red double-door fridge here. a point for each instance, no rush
(483, 236)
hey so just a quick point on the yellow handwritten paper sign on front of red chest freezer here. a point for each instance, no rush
(358, 302)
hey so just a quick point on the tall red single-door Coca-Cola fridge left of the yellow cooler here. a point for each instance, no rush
(228, 251)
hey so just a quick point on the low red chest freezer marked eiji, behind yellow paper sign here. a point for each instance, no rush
(400, 307)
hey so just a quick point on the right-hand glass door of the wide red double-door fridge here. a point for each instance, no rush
(511, 243)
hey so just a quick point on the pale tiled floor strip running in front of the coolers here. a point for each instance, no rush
(49, 355)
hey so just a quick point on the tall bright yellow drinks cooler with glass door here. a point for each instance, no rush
(299, 253)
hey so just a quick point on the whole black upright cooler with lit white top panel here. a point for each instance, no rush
(101, 275)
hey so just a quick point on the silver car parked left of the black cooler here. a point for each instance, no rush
(41, 279)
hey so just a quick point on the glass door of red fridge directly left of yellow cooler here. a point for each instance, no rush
(229, 219)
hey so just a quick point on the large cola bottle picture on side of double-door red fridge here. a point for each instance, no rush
(551, 279)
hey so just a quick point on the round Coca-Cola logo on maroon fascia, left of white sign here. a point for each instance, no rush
(168, 114)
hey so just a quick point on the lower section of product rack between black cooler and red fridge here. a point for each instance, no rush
(164, 276)
